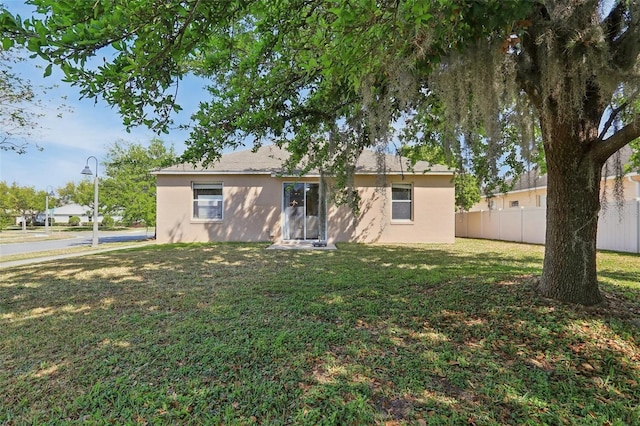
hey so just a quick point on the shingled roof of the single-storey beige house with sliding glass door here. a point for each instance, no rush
(268, 159)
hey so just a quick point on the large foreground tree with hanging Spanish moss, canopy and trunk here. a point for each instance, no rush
(335, 77)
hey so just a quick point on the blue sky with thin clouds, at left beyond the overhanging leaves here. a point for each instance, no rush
(86, 129)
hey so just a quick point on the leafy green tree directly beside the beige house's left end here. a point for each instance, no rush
(130, 188)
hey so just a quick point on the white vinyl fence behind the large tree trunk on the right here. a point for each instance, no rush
(618, 228)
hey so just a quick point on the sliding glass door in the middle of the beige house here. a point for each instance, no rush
(302, 217)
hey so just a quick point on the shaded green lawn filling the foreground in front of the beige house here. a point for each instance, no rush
(235, 334)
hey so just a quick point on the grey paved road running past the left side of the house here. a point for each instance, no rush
(75, 239)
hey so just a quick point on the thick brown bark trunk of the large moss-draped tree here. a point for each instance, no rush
(573, 203)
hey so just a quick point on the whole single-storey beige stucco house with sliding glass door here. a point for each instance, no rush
(246, 197)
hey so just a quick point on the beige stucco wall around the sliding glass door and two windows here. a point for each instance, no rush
(252, 211)
